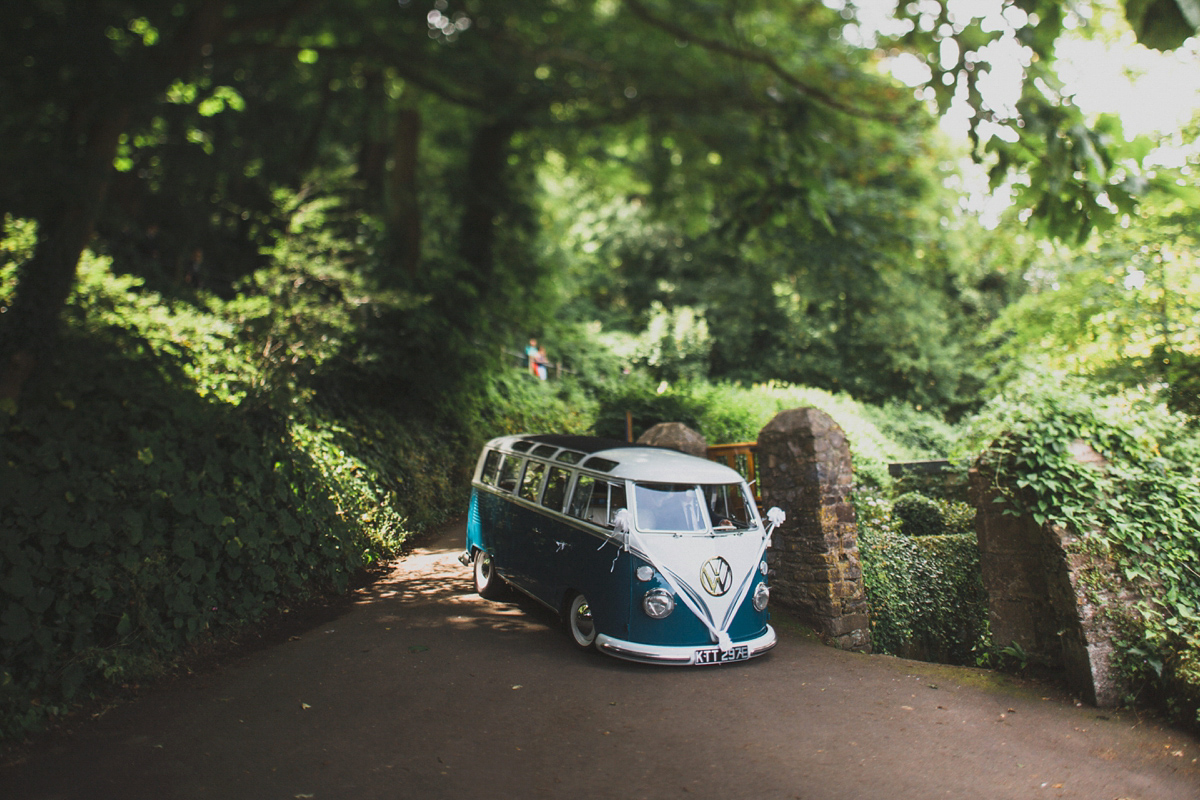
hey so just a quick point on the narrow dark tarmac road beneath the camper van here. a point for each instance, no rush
(424, 690)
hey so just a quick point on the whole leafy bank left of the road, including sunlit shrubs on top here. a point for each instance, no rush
(194, 474)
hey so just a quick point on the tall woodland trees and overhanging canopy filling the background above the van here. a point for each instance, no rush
(676, 173)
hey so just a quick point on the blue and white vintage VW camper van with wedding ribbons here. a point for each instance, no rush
(647, 554)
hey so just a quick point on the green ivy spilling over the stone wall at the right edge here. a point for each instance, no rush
(1141, 509)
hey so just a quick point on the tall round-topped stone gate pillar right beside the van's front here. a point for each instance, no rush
(805, 468)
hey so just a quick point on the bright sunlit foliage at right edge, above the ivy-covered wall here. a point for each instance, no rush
(1124, 309)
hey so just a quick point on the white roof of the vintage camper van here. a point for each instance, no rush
(620, 459)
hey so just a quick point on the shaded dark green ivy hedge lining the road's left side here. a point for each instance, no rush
(140, 518)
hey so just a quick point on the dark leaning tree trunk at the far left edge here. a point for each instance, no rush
(31, 330)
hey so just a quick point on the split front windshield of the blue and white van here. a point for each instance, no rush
(683, 508)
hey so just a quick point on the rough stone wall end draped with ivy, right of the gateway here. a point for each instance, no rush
(1051, 592)
